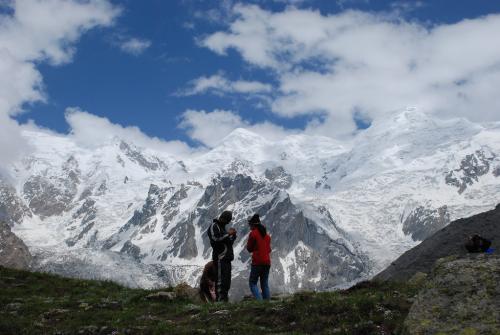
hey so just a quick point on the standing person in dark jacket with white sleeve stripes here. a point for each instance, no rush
(222, 253)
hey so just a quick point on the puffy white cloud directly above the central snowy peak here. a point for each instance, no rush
(209, 128)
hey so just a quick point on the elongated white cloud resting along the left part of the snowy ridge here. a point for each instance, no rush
(92, 131)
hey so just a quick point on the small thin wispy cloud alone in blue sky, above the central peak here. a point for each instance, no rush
(218, 84)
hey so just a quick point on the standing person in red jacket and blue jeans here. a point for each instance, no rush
(259, 244)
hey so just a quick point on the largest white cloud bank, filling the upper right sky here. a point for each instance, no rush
(336, 66)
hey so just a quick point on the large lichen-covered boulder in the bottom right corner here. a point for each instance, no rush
(461, 297)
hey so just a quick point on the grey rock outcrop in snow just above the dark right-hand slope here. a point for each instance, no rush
(423, 222)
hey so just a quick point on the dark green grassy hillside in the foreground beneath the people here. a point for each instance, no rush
(36, 303)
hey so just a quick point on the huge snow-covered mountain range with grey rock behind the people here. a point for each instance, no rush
(337, 211)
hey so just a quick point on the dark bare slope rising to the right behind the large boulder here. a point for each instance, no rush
(447, 241)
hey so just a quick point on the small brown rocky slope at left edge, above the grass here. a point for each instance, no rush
(13, 251)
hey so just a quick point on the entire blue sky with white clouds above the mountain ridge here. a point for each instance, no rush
(182, 74)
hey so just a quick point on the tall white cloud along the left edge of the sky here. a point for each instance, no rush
(33, 32)
